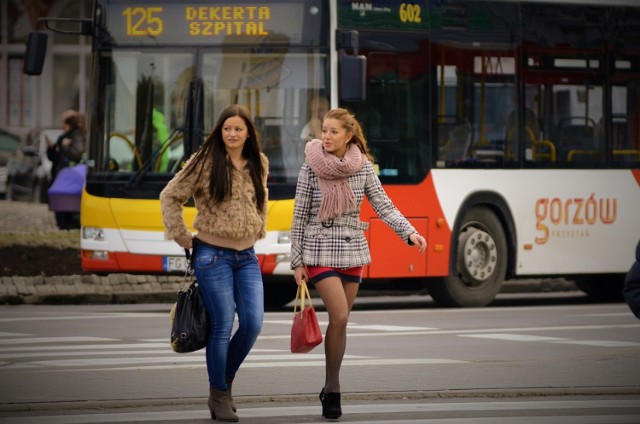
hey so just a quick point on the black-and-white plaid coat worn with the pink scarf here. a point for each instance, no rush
(339, 243)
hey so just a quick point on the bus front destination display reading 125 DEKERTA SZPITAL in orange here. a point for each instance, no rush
(193, 23)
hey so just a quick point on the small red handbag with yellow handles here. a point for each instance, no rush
(305, 330)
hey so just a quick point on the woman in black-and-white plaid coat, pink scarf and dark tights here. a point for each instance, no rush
(328, 245)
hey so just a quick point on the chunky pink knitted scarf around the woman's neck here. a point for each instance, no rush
(333, 173)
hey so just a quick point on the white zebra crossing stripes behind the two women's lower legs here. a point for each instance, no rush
(22, 351)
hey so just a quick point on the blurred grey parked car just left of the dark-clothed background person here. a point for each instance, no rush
(30, 169)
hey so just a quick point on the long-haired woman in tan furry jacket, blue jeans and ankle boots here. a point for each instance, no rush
(227, 178)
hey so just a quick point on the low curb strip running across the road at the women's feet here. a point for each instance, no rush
(356, 396)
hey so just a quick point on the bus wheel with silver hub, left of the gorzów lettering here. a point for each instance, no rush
(480, 263)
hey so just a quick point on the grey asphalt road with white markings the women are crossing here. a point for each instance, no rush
(66, 358)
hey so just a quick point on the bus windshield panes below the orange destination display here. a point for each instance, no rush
(149, 101)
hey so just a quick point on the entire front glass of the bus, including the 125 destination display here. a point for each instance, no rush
(158, 98)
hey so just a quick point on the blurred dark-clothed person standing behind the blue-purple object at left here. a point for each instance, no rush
(67, 151)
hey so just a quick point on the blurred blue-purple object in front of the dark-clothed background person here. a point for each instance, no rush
(66, 190)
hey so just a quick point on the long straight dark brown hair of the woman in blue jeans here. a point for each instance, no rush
(220, 182)
